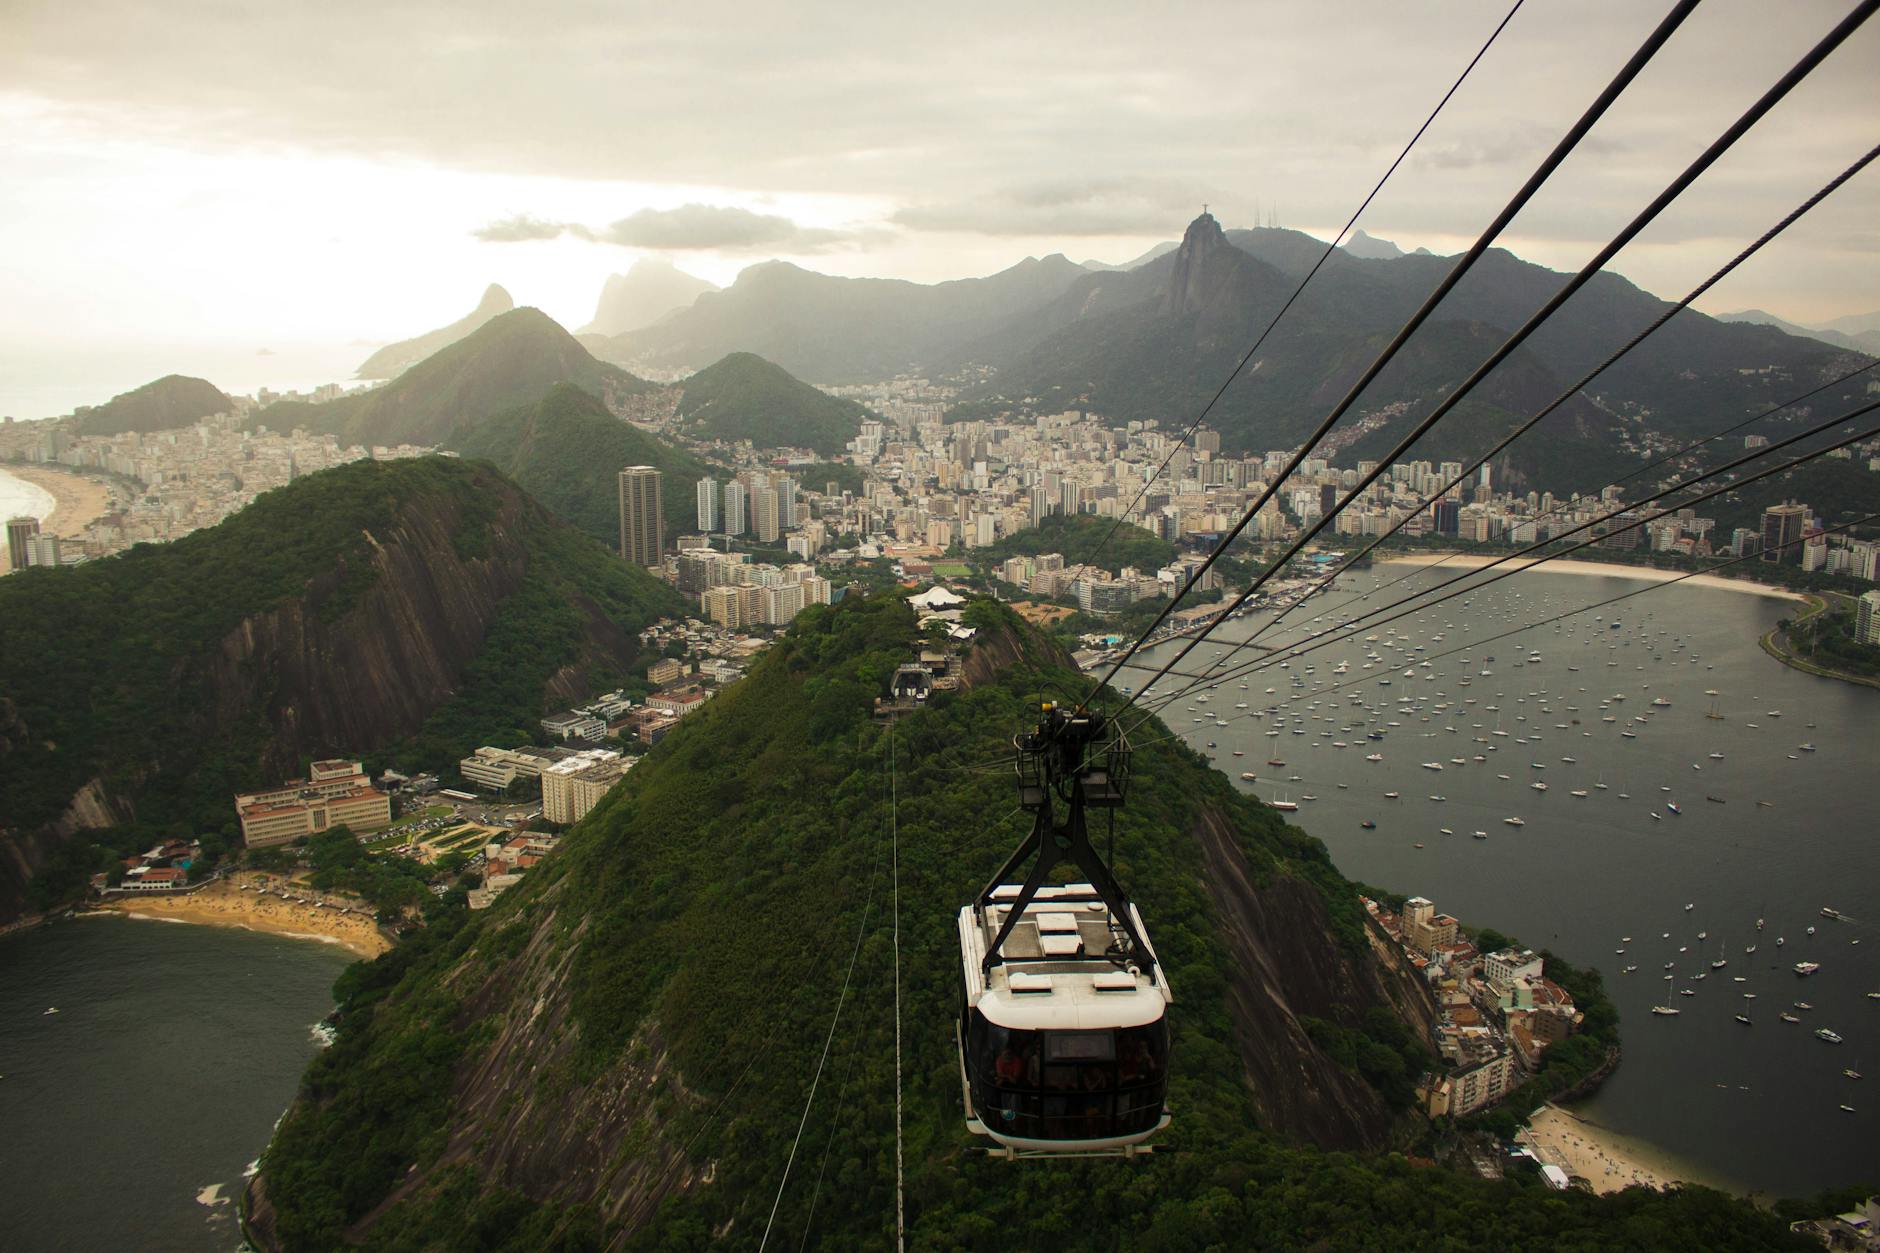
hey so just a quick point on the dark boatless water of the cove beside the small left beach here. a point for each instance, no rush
(131, 1117)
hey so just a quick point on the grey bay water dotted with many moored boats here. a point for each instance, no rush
(1751, 1107)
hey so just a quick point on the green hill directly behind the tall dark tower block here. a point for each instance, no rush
(567, 451)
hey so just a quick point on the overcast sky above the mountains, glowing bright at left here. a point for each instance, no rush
(272, 176)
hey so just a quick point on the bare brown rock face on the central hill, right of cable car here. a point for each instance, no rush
(1283, 970)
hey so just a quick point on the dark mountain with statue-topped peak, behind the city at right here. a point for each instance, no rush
(1157, 341)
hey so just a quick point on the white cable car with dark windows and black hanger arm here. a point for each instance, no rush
(1063, 1032)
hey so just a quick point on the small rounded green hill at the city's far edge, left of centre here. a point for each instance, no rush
(745, 398)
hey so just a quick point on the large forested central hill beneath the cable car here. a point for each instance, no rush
(618, 1055)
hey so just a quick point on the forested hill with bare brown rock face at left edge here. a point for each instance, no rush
(420, 607)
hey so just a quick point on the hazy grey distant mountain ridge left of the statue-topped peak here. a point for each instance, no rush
(832, 330)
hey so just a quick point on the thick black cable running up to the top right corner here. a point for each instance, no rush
(1704, 161)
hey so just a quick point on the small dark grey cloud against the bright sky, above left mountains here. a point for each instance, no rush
(687, 229)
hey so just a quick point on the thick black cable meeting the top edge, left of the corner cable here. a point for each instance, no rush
(1550, 165)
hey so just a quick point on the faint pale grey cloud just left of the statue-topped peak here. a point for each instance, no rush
(1088, 208)
